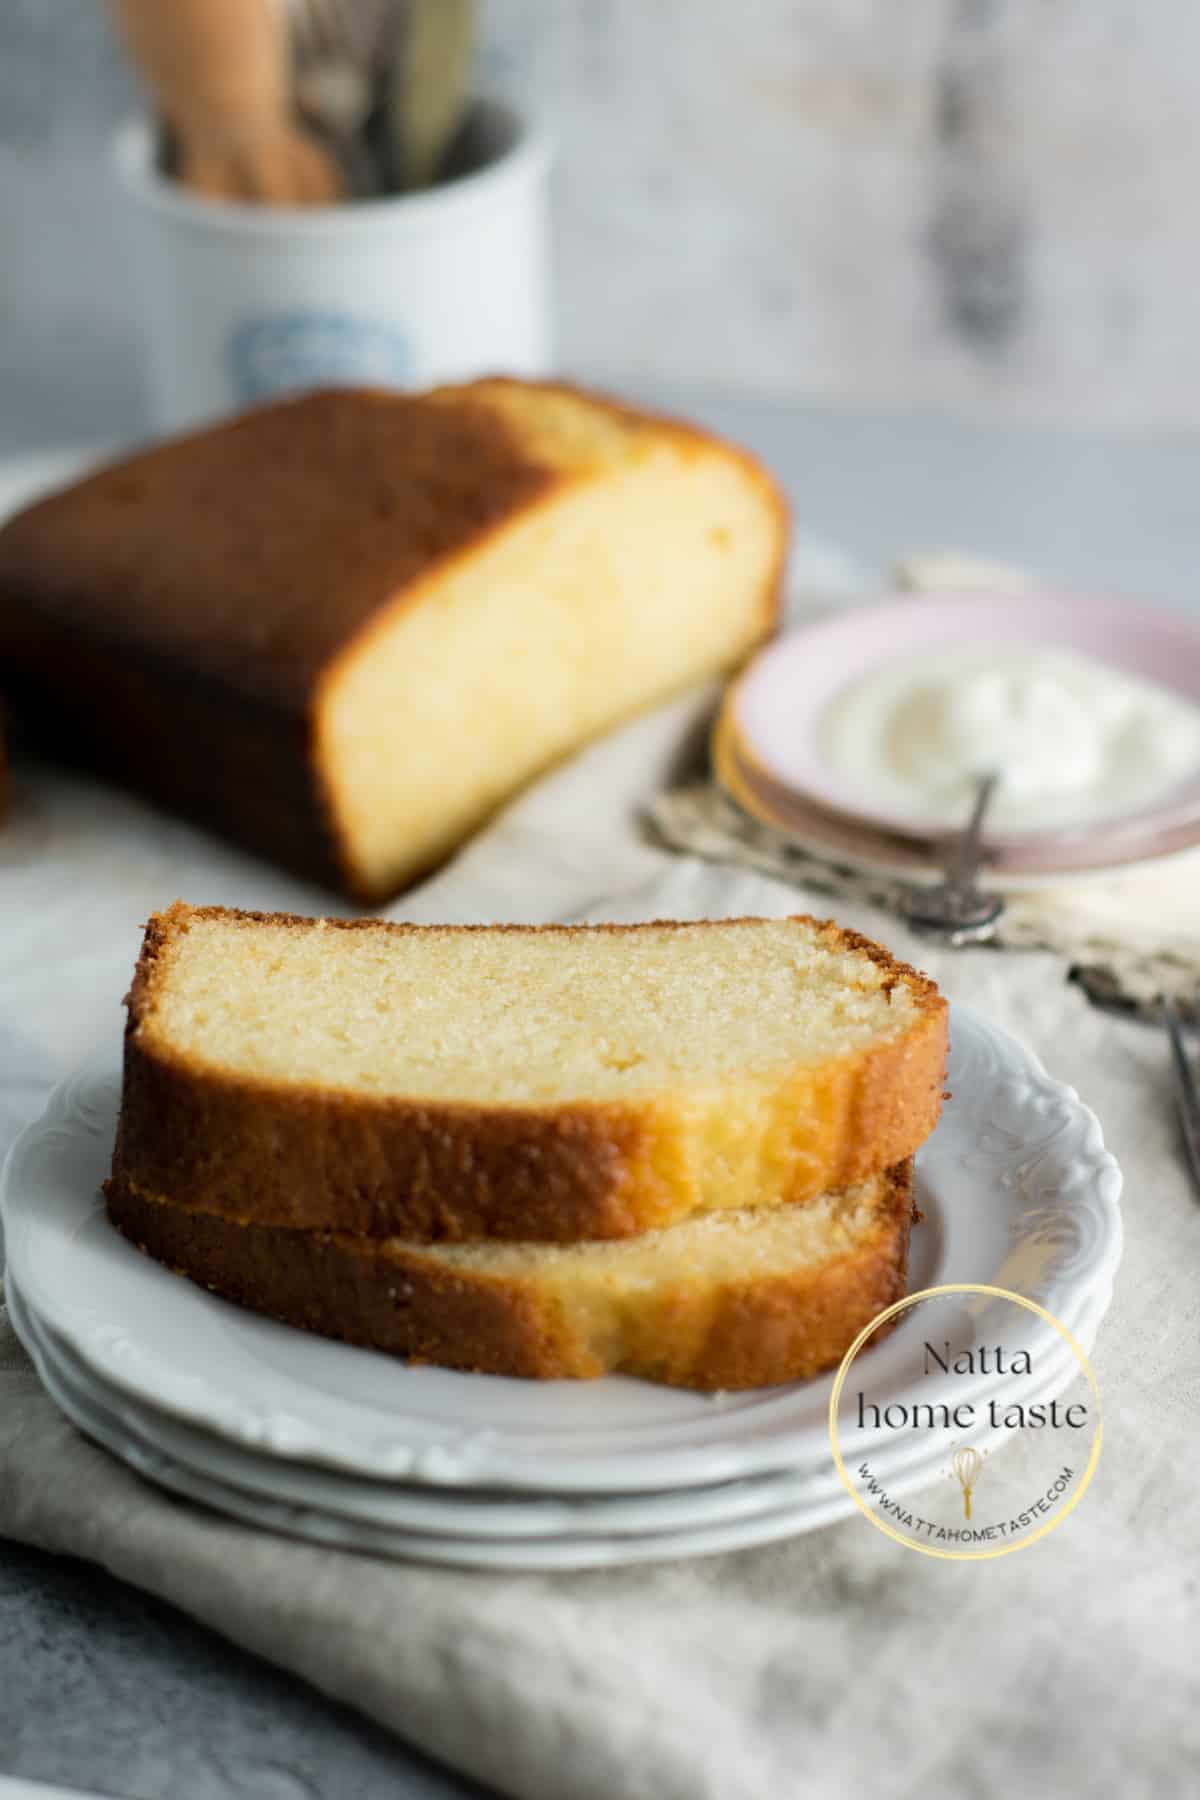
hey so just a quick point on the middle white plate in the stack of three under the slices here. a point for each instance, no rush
(461, 1515)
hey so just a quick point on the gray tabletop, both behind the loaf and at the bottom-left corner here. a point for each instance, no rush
(105, 1689)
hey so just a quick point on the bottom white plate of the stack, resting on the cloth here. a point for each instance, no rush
(589, 1545)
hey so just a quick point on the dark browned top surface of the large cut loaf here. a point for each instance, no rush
(253, 552)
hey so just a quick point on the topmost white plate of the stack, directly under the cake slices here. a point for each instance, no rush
(1016, 1185)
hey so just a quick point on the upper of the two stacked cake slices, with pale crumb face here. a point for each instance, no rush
(550, 1084)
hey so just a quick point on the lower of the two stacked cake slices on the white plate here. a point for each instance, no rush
(735, 1300)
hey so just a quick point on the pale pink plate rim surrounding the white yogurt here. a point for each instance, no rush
(776, 708)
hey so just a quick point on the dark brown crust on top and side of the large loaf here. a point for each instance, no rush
(170, 620)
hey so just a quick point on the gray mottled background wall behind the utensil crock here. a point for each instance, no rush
(972, 204)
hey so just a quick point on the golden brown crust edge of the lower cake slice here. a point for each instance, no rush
(695, 1335)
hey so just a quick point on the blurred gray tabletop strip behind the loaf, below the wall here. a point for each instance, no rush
(1109, 510)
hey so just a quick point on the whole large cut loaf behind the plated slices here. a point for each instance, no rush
(345, 629)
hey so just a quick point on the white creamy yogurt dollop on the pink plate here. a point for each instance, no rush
(1073, 739)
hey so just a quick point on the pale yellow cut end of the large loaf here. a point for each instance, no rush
(650, 562)
